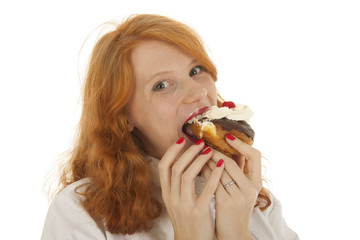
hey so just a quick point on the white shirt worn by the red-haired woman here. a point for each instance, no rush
(68, 220)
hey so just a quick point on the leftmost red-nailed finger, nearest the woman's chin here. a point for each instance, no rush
(166, 162)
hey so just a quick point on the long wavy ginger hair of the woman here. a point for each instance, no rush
(119, 193)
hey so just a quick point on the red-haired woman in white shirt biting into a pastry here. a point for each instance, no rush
(132, 174)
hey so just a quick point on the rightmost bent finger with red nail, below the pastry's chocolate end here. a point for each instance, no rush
(252, 155)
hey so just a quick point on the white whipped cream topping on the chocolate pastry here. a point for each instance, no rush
(239, 113)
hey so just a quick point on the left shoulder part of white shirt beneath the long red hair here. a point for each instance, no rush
(67, 219)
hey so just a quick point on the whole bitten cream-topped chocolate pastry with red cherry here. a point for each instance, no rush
(213, 124)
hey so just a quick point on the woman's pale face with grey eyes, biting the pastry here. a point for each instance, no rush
(169, 86)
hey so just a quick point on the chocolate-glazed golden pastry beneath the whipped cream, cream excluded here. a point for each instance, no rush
(214, 135)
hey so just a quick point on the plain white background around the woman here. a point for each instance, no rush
(295, 63)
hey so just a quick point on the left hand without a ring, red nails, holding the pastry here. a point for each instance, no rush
(190, 214)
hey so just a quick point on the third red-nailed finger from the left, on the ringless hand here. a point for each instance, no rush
(193, 170)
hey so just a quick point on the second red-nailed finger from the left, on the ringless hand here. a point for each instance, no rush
(181, 165)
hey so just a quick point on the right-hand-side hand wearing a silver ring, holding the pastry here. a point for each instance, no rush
(235, 203)
